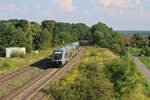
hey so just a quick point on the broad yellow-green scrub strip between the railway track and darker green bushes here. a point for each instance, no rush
(91, 83)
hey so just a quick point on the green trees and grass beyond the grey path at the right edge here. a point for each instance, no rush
(142, 50)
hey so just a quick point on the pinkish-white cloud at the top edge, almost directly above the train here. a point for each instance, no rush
(66, 5)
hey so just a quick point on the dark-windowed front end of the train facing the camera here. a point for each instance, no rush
(57, 57)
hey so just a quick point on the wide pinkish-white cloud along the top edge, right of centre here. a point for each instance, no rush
(120, 3)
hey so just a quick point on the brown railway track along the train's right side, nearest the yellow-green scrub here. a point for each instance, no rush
(34, 86)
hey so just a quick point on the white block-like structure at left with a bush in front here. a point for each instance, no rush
(10, 50)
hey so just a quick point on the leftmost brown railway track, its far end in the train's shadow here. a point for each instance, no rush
(18, 72)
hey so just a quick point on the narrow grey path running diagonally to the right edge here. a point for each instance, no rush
(142, 67)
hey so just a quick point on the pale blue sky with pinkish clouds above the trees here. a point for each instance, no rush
(118, 14)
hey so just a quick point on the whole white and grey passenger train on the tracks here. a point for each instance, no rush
(61, 56)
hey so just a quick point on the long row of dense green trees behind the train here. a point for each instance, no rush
(35, 36)
